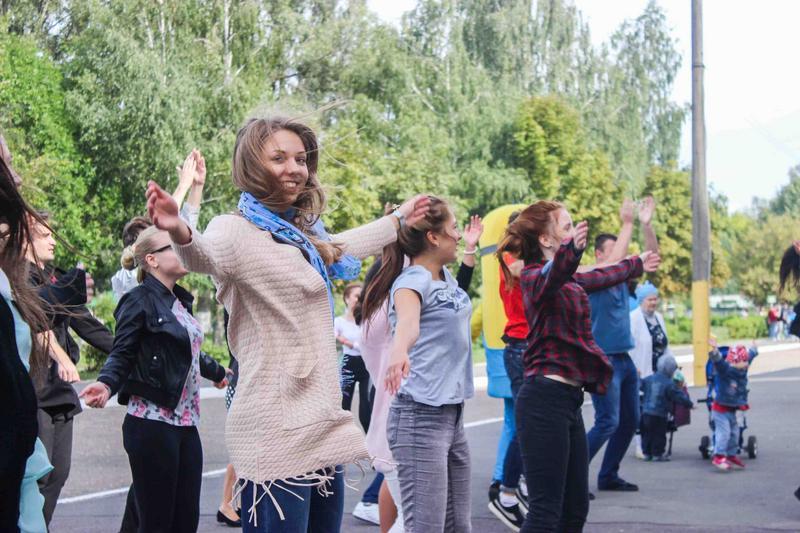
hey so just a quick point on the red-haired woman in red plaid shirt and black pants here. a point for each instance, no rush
(562, 359)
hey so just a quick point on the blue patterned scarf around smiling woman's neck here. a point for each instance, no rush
(347, 268)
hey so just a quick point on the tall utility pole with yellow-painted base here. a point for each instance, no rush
(701, 228)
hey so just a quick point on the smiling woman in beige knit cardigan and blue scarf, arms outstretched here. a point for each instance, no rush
(286, 432)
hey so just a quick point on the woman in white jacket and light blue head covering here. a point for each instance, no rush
(649, 337)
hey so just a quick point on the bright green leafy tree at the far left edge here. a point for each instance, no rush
(38, 129)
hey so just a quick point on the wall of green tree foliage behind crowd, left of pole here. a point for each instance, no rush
(484, 102)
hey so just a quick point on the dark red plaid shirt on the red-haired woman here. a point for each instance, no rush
(558, 313)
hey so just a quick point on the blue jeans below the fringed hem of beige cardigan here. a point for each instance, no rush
(314, 513)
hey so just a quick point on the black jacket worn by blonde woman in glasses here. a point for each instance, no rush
(152, 353)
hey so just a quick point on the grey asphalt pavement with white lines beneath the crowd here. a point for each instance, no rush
(685, 494)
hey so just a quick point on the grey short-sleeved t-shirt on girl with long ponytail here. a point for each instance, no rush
(441, 359)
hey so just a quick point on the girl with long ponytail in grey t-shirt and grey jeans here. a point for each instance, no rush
(430, 369)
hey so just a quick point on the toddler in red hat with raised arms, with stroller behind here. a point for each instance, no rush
(726, 373)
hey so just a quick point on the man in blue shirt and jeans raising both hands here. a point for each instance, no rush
(617, 412)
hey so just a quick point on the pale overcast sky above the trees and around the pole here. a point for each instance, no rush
(752, 83)
